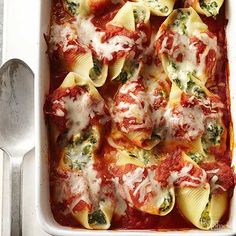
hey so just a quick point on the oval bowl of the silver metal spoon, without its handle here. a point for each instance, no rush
(16, 108)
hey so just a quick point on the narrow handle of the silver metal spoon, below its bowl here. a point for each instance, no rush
(15, 173)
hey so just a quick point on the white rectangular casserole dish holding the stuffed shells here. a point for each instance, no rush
(43, 208)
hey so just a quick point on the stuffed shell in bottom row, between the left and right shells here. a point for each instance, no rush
(134, 175)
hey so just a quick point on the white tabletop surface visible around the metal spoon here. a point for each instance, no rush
(21, 27)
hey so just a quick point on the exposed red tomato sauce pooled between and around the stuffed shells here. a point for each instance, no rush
(134, 219)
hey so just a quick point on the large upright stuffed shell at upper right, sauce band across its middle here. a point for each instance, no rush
(186, 48)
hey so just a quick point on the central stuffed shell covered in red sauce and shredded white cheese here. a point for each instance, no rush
(132, 115)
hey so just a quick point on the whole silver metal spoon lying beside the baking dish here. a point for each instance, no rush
(16, 127)
